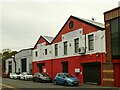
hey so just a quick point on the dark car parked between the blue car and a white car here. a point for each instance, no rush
(41, 77)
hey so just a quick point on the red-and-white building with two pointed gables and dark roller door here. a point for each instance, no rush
(78, 48)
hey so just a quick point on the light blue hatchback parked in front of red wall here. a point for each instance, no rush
(65, 79)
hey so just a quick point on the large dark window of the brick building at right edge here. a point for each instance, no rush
(115, 38)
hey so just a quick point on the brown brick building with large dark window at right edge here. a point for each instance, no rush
(112, 66)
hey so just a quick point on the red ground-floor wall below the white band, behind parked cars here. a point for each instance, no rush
(54, 66)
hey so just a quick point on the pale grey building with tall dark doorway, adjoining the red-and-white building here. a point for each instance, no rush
(24, 61)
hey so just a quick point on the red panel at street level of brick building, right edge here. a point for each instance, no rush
(117, 74)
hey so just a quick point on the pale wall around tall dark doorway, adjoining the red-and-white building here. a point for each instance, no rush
(21, 55)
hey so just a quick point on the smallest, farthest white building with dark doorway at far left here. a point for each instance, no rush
(10, 65)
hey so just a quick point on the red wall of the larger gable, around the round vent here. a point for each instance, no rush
(77, 24)
